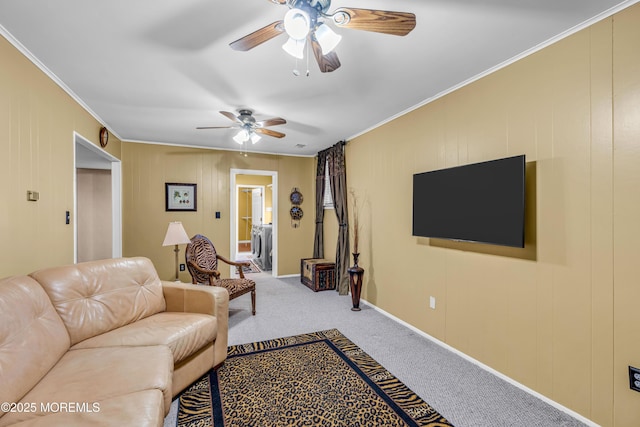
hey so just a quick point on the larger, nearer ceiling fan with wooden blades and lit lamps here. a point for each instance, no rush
(306, 21)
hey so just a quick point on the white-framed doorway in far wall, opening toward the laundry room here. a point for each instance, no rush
(254, 208)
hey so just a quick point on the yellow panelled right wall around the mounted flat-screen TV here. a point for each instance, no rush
(565, 319)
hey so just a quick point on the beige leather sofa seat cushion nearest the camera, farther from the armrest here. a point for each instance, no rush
(89, 376)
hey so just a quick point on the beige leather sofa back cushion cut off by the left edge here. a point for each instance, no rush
(32, 337)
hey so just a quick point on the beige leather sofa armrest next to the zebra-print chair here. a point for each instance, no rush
(213, 300)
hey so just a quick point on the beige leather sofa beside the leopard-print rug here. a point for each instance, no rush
(104, 343)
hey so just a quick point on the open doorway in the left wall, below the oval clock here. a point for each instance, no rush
(97, 209)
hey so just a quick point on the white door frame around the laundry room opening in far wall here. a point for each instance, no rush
(233, 244)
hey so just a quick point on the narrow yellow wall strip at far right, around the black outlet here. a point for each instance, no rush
(625, 292)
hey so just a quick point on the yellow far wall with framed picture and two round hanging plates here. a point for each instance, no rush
(147, 167)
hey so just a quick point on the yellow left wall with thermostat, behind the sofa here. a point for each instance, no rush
(37, 124)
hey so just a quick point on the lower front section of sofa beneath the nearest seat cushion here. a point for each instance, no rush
(142, 409)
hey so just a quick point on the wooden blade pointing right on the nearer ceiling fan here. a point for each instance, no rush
(379, 21)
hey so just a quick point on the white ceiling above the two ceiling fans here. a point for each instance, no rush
(154, 70)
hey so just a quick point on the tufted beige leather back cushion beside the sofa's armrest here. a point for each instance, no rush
(98, 296)
